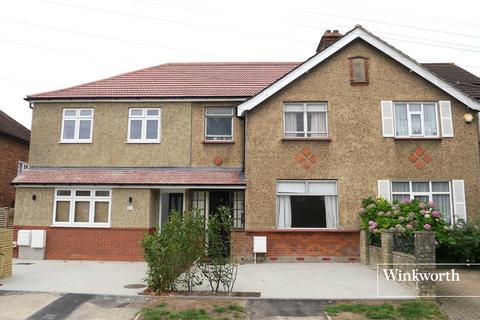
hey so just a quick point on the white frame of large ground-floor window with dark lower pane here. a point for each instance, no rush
(306, 194)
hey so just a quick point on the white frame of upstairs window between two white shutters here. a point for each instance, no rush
(422, 119)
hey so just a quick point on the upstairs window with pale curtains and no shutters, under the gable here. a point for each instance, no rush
(305, 120)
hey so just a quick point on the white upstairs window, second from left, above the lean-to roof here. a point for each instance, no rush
(144, 125)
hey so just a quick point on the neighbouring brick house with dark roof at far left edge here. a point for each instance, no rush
(14, 144)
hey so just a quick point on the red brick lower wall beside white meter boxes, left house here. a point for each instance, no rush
(112, 244)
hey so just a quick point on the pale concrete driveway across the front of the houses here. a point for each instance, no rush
(272, 280)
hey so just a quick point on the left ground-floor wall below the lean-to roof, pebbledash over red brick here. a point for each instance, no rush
(120, 242)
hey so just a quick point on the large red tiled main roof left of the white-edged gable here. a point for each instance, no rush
(180, 80)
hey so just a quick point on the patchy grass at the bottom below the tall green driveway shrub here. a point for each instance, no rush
(161, 312)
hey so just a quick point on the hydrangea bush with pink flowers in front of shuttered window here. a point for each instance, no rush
(407, 216)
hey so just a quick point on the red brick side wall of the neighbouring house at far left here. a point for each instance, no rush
(12, 151)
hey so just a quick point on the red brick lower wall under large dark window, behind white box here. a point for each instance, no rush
(300, 245)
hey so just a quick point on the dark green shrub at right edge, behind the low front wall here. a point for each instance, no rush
(462, 244)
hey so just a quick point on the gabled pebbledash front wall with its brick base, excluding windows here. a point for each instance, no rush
(356, 156)
